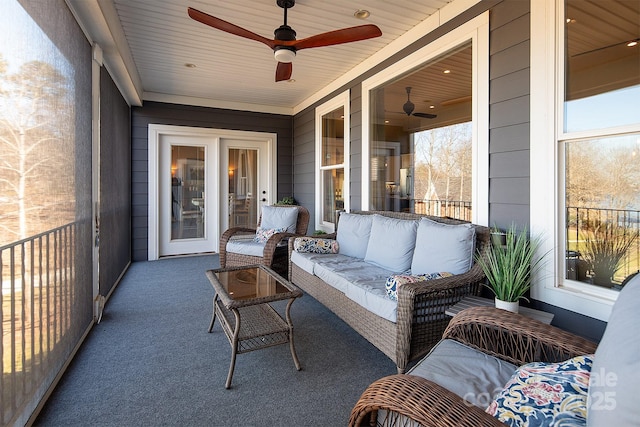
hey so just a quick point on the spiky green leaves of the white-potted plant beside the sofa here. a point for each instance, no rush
(510, 264)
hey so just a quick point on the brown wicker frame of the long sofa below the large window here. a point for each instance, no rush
(419, 312)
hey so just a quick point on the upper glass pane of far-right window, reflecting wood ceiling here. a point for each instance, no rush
(602, 63)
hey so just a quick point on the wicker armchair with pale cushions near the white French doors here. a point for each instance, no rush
(239, 248)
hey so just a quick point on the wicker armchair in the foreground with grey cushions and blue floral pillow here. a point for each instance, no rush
(572, 382)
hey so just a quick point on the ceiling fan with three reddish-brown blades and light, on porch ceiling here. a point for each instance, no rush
(285, 44)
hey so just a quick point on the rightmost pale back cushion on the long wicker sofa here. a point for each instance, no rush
(443, 247)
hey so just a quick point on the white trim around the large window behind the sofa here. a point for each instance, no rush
(476, 30)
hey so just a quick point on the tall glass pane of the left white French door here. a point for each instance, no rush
(187, 192)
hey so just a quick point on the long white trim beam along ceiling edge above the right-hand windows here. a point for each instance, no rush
(437, 19)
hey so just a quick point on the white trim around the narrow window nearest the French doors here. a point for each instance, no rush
(342, 100)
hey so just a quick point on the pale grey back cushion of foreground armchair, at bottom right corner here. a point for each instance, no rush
(615, 375)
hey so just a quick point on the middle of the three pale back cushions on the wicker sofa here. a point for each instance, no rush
(391, 243)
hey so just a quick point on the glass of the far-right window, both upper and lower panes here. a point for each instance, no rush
(601, 152)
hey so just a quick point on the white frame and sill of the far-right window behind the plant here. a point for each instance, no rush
(547, 179)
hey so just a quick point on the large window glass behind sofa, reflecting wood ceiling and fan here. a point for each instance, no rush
(421, 139)
